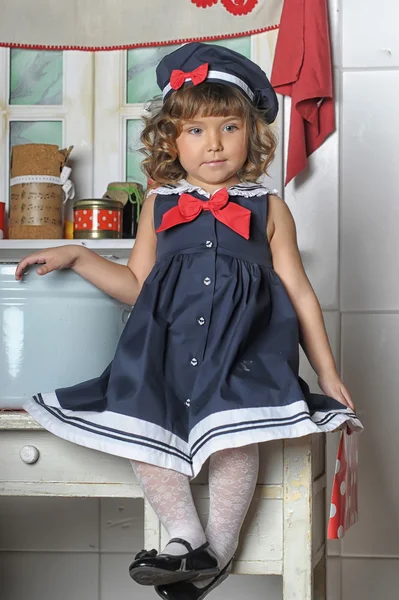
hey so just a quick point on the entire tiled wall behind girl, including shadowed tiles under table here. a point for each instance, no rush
(347, 213)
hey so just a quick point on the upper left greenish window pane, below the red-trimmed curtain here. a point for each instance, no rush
(35, 77)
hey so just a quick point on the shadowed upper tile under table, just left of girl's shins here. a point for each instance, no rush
(122, 525)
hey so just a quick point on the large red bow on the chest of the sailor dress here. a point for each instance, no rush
(233, 215)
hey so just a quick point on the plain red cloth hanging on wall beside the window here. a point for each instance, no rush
(302, 69)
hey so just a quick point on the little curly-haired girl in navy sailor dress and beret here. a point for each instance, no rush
(207, 366)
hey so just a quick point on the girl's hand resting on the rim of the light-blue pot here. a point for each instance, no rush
(52, 259)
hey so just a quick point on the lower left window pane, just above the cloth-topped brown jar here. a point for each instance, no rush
(36, 132)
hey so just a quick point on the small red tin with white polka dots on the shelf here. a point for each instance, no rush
(97, 219)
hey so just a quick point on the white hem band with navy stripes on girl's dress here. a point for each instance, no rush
(134, 450)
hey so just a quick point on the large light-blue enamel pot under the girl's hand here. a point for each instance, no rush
(60, 310)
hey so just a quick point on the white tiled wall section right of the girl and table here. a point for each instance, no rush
(347, 213)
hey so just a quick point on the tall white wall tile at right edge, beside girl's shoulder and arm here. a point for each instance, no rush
(370, 176)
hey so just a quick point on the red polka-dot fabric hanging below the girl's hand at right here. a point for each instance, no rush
(344, 498)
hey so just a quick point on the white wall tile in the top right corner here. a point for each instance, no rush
(369, 33)
